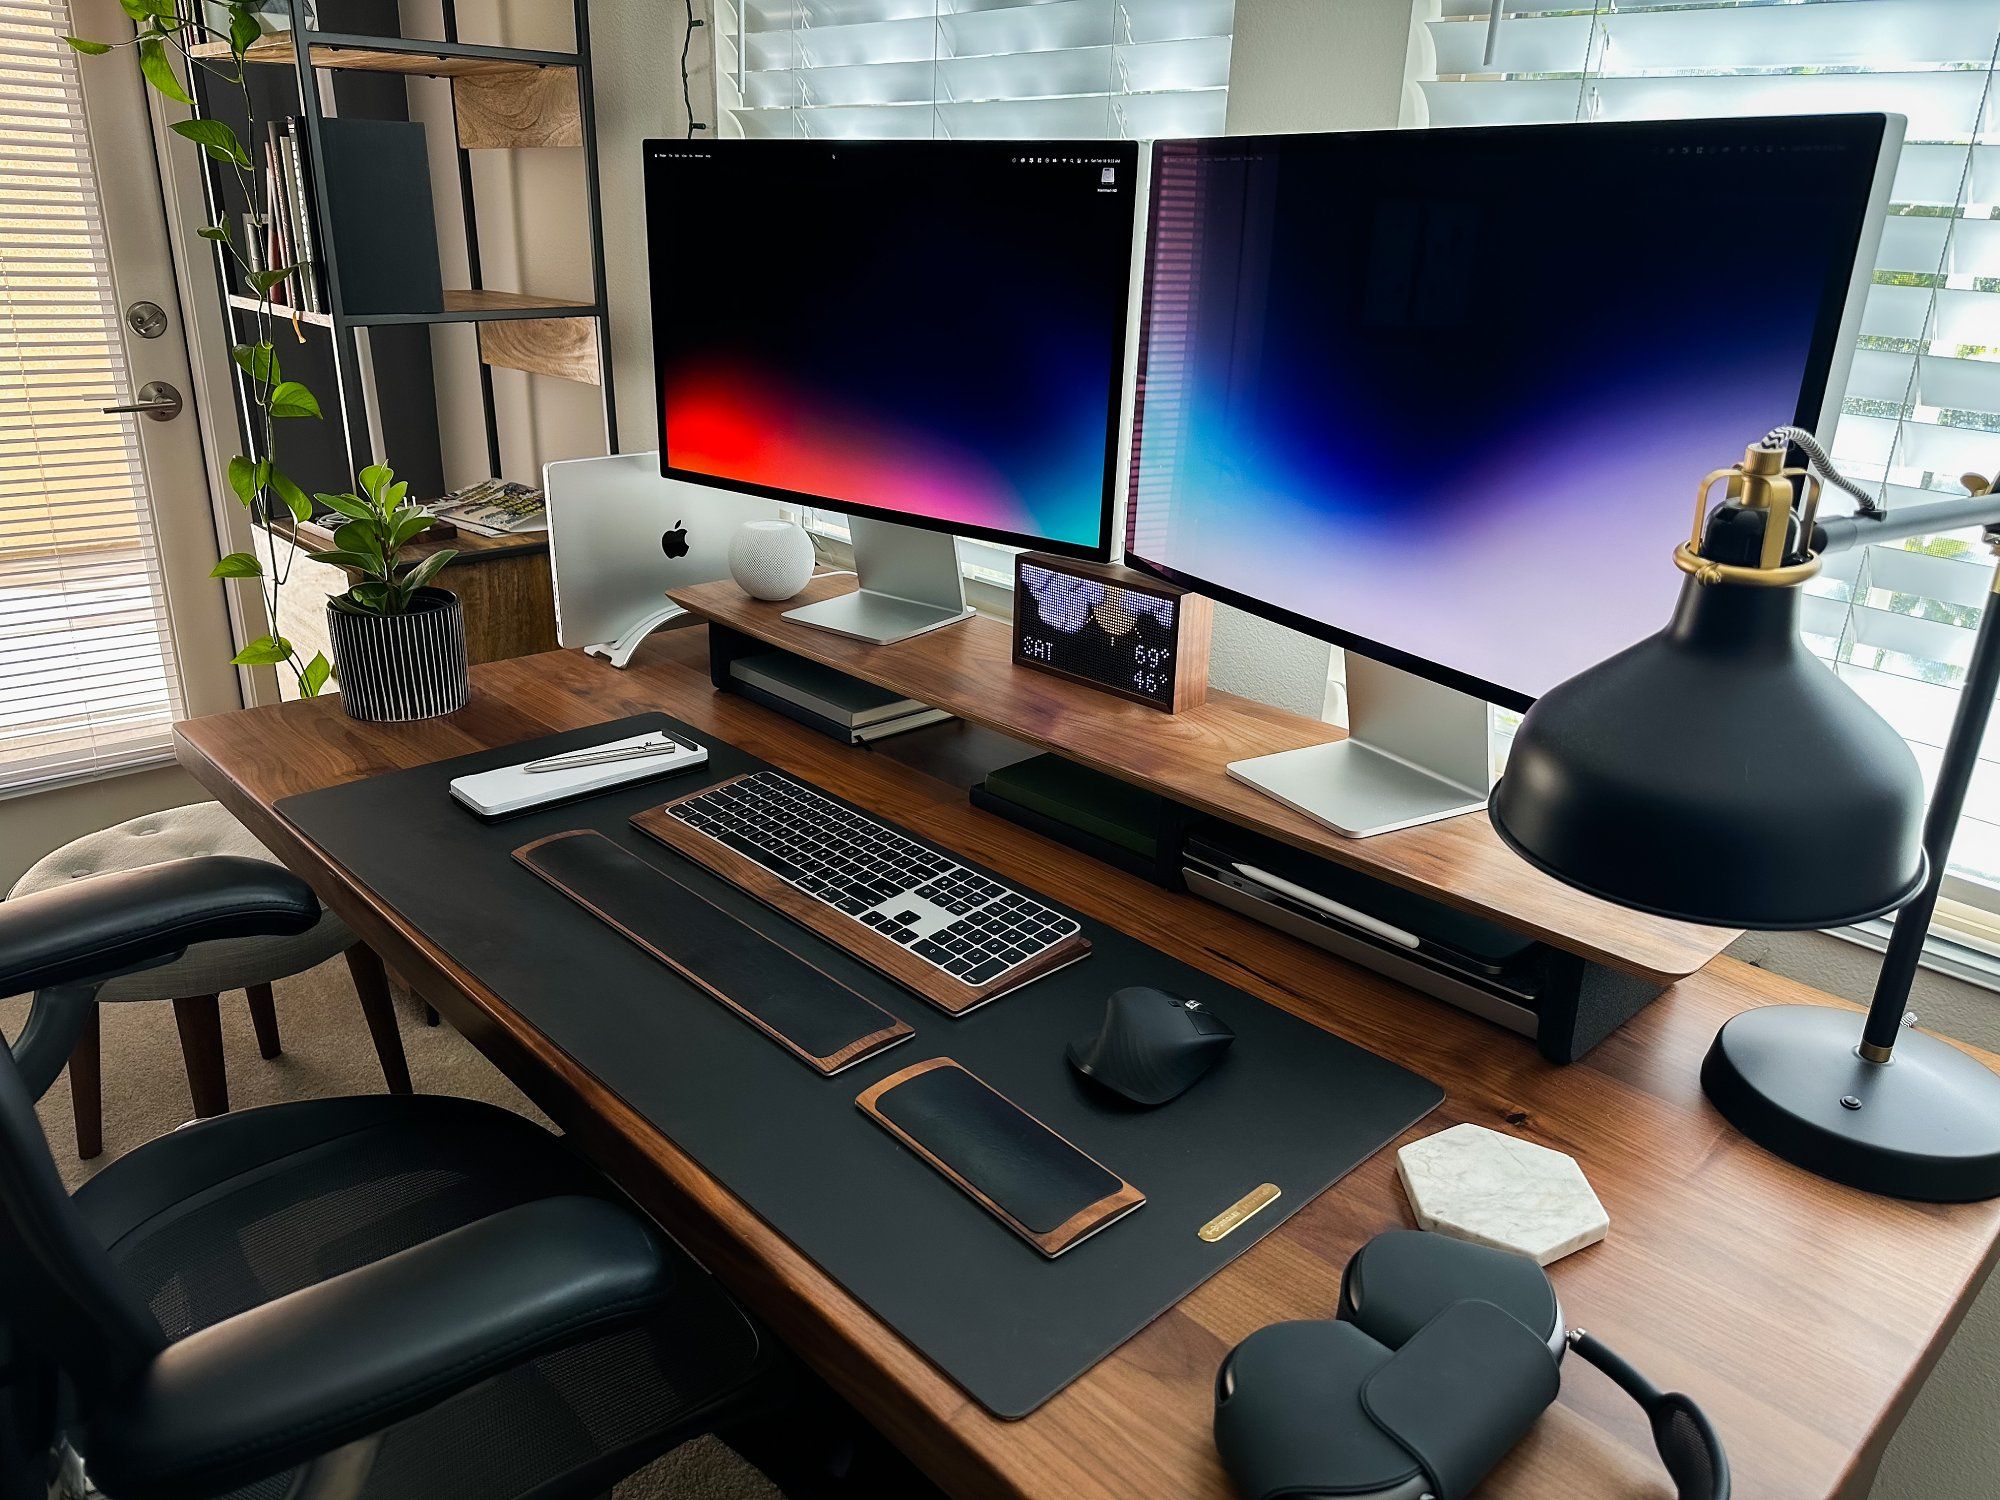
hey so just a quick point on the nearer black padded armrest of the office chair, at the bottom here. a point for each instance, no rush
(333, 1363)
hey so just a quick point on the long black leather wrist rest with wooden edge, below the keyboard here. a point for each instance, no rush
(797, 1005)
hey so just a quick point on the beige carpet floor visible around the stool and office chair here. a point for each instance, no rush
(327, 1051)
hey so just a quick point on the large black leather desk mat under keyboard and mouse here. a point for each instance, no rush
(1289, 1105)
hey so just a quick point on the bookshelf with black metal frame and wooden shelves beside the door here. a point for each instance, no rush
(503, 99)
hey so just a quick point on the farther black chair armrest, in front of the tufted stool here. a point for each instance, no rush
(133, 919)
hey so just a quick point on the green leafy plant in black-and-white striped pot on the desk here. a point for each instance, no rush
(399, 643)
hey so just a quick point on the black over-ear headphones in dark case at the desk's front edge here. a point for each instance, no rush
(1443, 1359)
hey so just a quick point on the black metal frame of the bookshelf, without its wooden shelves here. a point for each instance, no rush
(341, 325)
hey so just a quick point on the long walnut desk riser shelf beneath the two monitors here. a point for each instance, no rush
(967, 669)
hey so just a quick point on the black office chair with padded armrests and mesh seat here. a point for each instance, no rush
(323, 1301)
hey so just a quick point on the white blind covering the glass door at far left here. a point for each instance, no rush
(87, 665)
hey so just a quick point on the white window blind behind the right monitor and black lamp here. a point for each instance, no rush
(1923, 401)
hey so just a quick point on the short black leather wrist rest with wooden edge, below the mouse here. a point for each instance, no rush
(1013, 1165)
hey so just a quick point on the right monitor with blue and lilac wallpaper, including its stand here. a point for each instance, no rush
(1443, 397)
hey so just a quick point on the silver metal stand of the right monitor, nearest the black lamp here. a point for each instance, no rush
(1415, 753)
